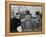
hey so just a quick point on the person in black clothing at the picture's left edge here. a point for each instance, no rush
(14, 22)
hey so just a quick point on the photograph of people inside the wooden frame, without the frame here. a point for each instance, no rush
(25, 18)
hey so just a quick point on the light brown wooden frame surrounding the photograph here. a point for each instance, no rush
(7, 17)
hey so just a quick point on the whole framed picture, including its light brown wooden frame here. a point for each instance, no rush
(24, 18)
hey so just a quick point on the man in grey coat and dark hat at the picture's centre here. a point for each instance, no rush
(26, 22)
